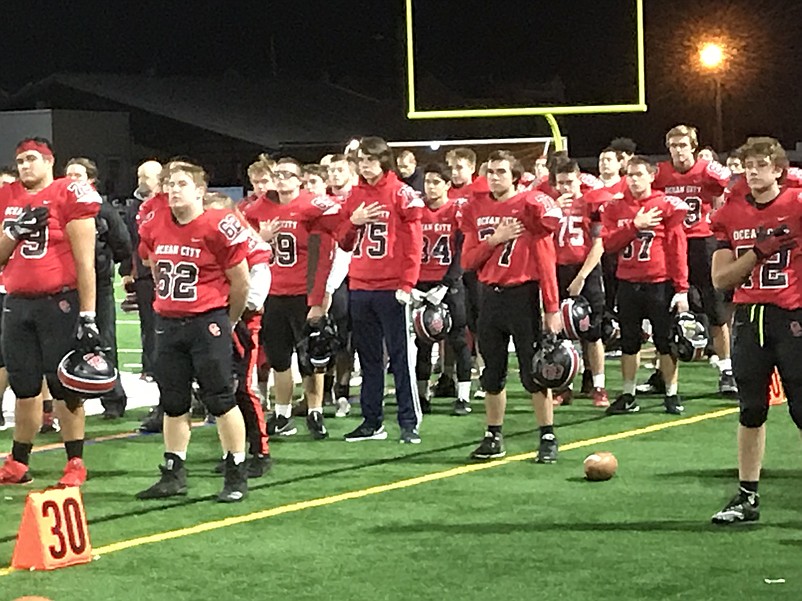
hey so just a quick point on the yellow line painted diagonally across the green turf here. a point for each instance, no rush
(382, 488)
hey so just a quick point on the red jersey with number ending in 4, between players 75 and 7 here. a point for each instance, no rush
(440, 228)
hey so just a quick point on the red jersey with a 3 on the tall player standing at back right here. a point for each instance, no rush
(697, 187)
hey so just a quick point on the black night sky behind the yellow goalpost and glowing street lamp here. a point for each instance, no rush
(476, 49)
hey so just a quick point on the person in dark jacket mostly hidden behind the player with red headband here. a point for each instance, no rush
(113, 245)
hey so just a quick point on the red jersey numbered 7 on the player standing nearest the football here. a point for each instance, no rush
(528, 258)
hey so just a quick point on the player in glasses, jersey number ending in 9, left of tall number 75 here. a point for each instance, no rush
(298, 225)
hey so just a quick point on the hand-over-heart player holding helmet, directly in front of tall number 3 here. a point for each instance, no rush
(645, 227)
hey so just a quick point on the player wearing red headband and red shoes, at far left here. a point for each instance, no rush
(50, 279)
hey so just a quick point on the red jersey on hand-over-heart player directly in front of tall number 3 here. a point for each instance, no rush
(647, 256)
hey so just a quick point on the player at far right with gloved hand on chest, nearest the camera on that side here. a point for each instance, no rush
(758, 257)
